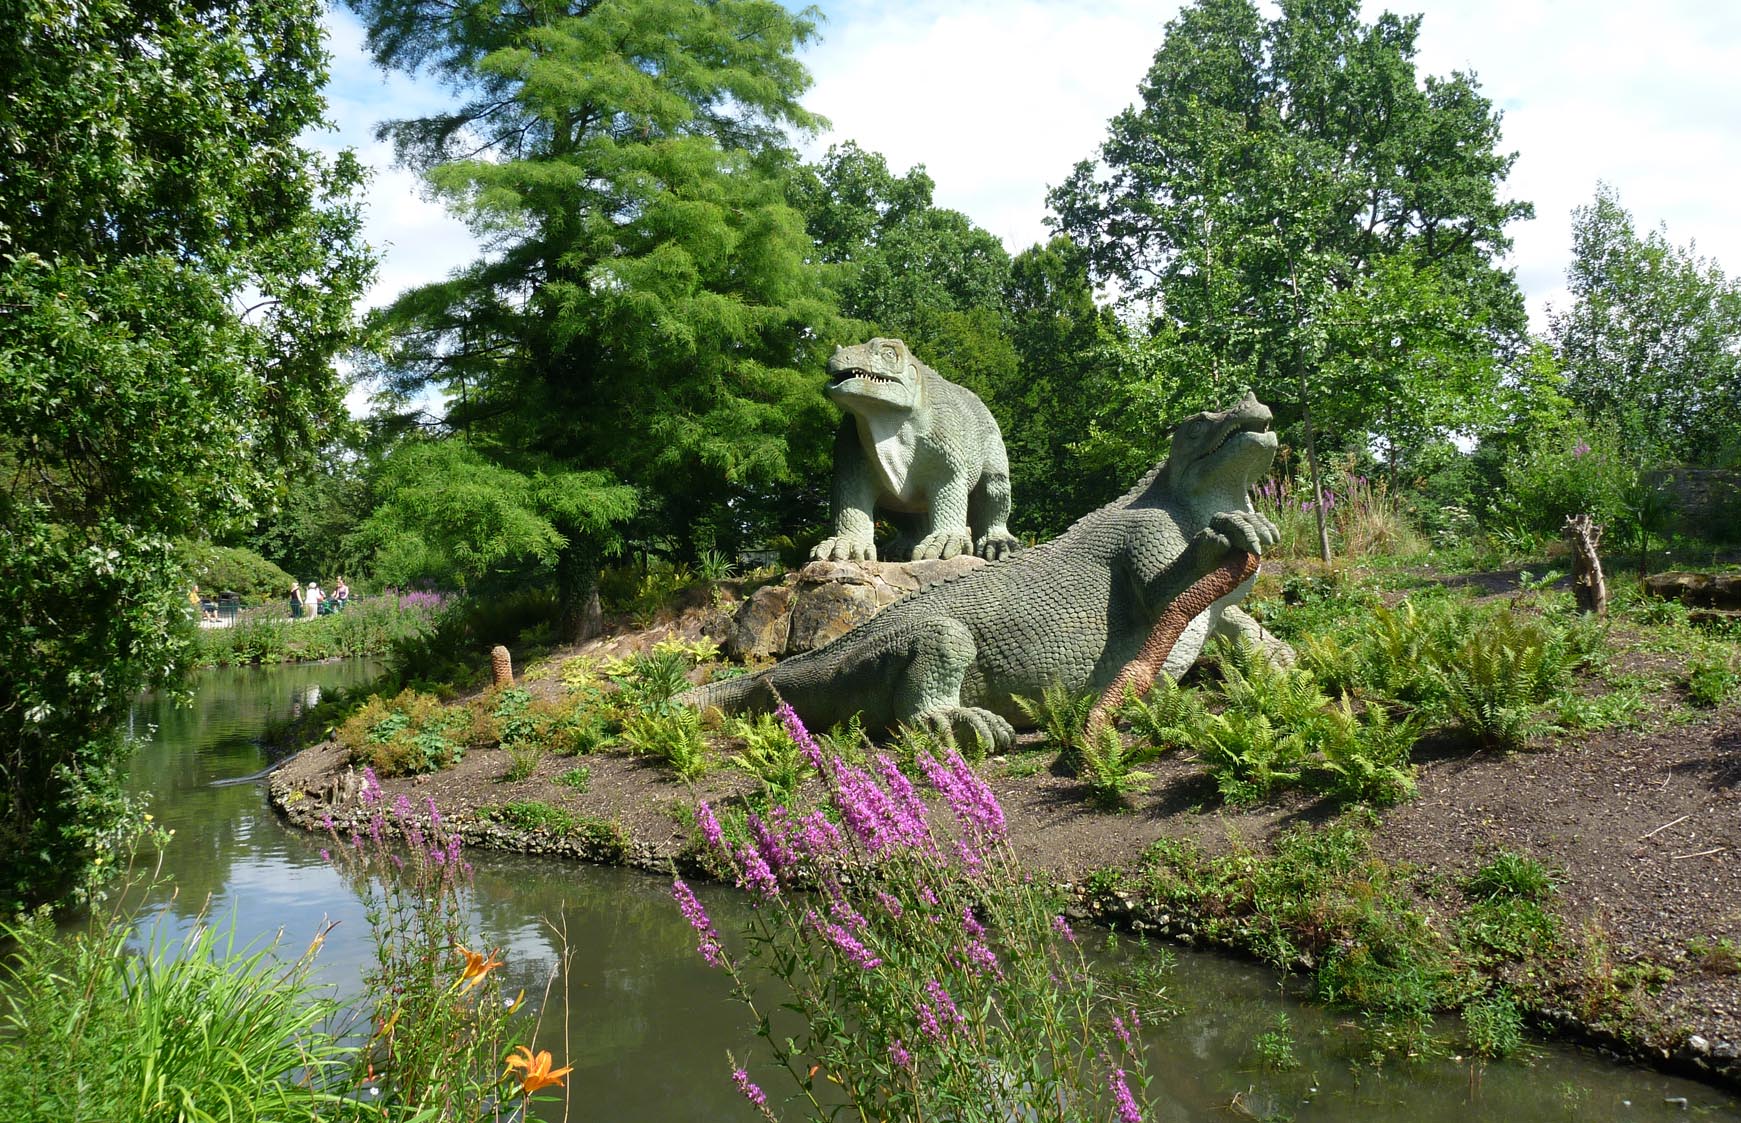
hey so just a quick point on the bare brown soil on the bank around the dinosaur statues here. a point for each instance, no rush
(1644, 830)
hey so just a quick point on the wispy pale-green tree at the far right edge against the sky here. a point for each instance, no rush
(1653, 339)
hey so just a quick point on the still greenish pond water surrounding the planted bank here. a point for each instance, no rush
(649, 1026)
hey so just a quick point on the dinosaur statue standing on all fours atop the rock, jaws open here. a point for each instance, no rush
(924, 452)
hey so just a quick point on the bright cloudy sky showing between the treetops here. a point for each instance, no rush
(1000, 98)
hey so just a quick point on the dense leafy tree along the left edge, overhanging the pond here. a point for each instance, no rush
(177, 272)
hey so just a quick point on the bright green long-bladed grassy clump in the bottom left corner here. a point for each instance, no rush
(187, 1030)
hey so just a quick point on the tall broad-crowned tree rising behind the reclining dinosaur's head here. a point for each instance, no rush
(1281, 187)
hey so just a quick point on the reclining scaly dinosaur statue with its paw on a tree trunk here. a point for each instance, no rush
(1072, 612)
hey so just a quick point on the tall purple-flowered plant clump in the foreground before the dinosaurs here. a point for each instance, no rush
(950, 990)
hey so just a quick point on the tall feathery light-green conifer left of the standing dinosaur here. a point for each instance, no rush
(645, 307)
